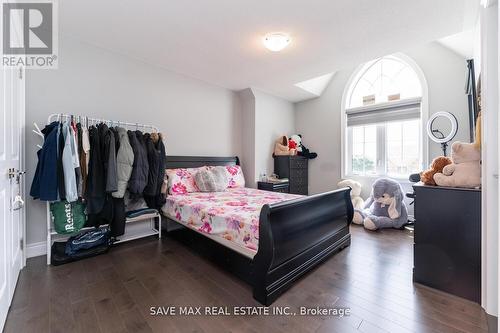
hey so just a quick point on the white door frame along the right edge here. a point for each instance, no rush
(489, 147)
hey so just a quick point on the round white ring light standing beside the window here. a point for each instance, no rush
(442, 127)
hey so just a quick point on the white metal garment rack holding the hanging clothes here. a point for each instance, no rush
(53, 236)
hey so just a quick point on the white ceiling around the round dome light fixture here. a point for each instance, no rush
(219, 41)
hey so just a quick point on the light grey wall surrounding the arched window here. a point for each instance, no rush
(319, 119)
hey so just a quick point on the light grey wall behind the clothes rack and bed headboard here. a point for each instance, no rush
(197, 118)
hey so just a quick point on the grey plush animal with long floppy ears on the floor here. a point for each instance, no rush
(385, 208)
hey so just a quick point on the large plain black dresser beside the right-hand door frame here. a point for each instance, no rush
(447, 250)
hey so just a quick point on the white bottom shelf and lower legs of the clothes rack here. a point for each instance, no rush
(154, 229)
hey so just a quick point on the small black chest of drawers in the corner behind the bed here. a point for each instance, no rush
(295, 169)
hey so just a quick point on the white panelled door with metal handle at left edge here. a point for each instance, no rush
(11, 184)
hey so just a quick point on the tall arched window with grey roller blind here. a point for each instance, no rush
(383, 104)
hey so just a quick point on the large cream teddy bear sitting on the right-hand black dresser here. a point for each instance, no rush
(465, 171)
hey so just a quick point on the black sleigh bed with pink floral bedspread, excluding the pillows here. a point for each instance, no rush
(268, 239)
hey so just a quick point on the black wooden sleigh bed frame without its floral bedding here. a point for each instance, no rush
(294, 236)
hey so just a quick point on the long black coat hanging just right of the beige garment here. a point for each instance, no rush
(96, 184)
